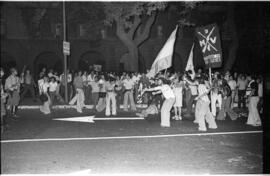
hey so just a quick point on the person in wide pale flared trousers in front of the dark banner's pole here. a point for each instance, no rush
(202, 110)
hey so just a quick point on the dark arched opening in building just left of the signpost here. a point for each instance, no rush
(49, 60)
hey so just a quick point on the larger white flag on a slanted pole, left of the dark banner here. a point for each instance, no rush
(164, 57)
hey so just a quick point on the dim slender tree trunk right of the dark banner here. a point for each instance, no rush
(235, 39)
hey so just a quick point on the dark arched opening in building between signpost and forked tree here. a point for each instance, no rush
(90, 58)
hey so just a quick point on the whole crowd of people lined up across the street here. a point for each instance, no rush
(179, 93)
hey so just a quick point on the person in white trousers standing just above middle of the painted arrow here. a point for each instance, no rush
(110, 97)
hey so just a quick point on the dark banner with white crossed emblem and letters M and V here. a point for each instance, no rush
(209, 41)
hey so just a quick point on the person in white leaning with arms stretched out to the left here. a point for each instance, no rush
(167, 105)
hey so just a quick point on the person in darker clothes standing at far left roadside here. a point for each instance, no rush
(12, 86)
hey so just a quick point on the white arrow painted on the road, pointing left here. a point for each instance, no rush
(90, 119)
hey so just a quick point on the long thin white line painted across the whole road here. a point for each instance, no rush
(127, 137)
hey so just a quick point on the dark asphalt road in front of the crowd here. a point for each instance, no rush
(215, 154)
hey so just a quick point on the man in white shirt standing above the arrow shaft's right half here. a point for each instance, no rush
(128, 93)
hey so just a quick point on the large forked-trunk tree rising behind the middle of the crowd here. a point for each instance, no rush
(133, 25)
